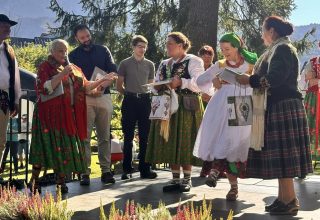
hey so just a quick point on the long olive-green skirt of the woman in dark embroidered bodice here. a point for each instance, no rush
(184, 125)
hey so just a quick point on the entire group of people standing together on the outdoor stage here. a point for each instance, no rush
(71, 101)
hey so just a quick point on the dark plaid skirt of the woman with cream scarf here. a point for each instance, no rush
(286, 152)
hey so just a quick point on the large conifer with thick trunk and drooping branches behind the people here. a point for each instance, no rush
(114, 22)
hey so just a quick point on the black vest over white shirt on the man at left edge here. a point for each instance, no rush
(12, 68)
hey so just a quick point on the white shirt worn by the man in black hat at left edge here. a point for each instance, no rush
(5, 75)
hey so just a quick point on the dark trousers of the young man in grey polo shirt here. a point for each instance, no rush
(135, 110)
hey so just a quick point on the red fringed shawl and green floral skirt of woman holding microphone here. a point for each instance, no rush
(59, 125)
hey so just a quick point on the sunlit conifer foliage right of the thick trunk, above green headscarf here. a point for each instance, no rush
(246, 17)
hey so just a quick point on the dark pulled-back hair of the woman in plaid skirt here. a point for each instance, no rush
(282, 27)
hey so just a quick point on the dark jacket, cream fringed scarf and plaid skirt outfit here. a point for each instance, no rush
(284, 151)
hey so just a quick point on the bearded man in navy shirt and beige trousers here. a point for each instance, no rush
(99, 104)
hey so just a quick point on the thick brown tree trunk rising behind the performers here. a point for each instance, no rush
(202, 23)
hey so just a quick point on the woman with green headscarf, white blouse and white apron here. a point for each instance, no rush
(227, 146)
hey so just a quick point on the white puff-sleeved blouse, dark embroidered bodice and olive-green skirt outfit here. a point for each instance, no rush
(185, 122)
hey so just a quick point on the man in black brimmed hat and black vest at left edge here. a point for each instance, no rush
(10, 88)
